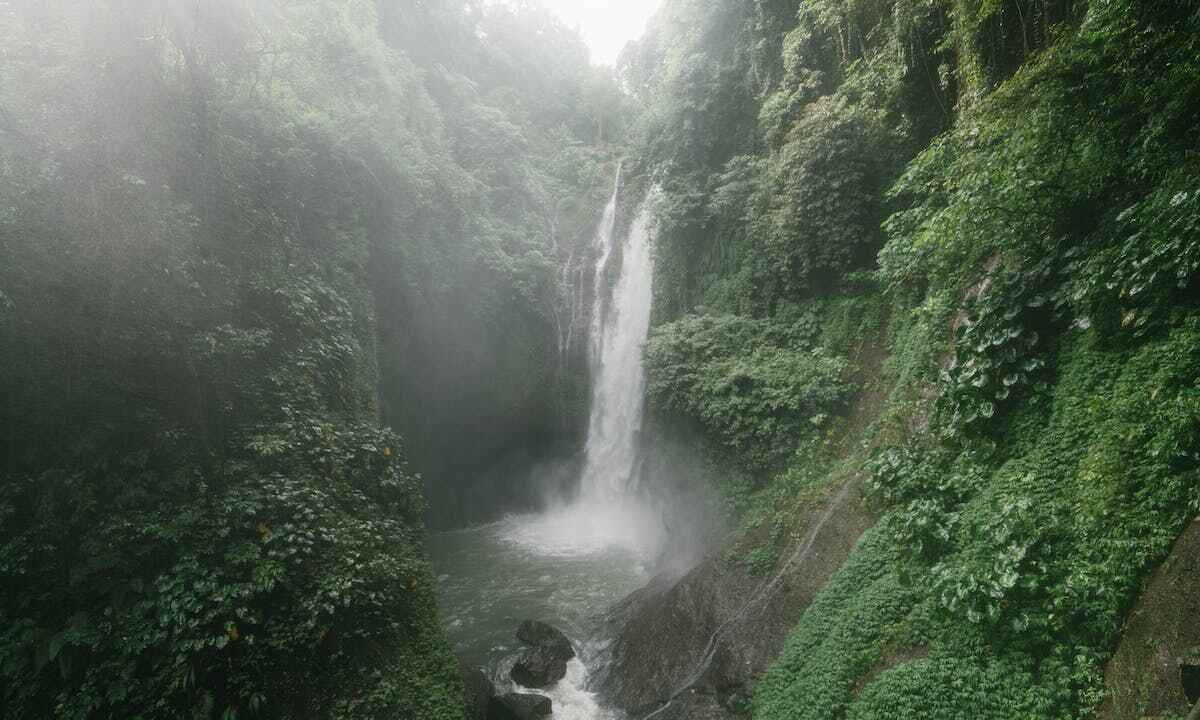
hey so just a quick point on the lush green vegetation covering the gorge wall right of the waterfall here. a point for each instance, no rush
(1016, 183)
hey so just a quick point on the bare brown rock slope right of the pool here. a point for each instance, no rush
(700, 643)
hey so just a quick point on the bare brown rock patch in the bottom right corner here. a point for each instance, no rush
(1156, 669)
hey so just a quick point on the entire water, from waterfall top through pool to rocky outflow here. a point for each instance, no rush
(572, 563)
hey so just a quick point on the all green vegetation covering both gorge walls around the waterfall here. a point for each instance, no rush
(273, 273)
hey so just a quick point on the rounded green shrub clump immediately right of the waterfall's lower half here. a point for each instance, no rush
(757, 388)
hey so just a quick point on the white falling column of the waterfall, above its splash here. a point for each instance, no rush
(620, 327)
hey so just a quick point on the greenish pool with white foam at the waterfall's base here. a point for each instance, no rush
(566, 568)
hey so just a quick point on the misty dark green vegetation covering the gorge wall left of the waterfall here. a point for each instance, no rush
(235, 237)
